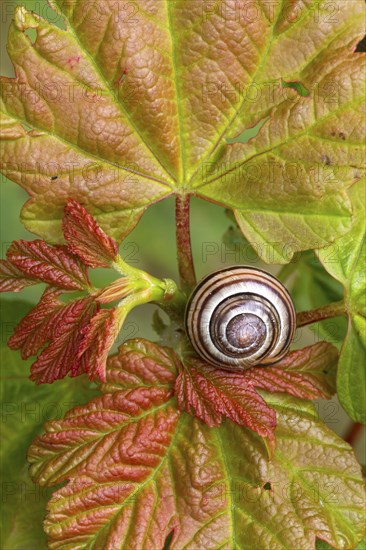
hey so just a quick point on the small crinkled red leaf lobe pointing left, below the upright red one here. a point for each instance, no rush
(50, 264)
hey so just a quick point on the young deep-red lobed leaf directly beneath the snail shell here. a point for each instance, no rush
(211, 394)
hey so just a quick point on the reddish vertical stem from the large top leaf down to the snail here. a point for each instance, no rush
(184, 248)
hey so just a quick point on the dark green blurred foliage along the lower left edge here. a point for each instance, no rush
(25, 409)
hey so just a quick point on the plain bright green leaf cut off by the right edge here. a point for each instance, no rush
(349, 269)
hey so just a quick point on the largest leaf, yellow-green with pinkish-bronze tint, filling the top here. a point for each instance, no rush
(121, 110)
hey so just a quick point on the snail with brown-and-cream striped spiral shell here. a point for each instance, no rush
(239, 317)
